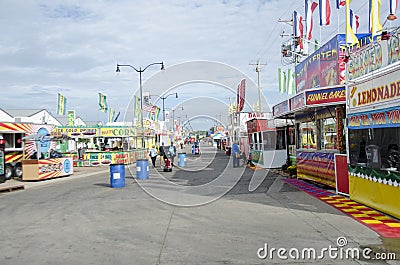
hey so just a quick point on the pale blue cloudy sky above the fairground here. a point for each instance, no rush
(72, 47)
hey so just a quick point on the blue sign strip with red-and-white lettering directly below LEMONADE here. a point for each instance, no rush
(375, 119)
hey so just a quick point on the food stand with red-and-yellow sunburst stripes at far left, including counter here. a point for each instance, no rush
(28, 149)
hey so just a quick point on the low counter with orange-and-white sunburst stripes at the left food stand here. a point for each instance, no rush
(47, 168)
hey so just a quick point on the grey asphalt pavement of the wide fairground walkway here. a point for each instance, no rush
(203, 213)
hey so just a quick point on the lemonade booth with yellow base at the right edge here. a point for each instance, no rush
(373, 113)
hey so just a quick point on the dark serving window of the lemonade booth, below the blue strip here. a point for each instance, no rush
(375, 148)
